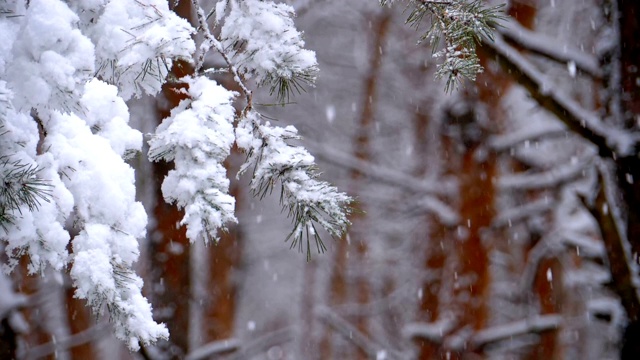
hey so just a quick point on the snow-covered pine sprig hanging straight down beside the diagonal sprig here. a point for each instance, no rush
(198, 137)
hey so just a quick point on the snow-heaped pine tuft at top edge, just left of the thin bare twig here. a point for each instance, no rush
(135, 42)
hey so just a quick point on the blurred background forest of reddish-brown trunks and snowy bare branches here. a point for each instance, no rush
(499, 221)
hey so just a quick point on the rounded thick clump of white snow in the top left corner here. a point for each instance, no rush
(50, 58)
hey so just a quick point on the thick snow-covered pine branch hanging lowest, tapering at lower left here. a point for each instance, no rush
(109, 221)
